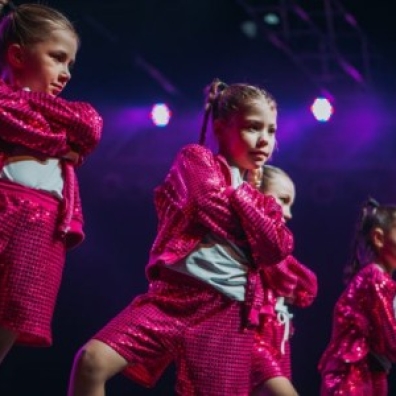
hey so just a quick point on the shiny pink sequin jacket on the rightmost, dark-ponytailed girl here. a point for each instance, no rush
(364, 321)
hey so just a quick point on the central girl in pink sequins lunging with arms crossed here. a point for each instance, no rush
(215, 232)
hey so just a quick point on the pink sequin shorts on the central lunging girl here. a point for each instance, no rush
(187, 321)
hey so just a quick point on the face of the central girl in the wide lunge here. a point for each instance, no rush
(247, 140)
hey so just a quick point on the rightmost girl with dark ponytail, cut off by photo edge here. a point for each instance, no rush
(363, 342)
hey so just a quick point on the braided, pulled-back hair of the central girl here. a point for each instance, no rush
(223, 100)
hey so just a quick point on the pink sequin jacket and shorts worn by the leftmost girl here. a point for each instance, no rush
(35, 228)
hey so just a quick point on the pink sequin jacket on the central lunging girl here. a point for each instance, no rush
(196, 198)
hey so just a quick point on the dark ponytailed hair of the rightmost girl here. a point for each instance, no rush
(372, 215)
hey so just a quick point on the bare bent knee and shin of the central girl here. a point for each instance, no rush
(94, 364)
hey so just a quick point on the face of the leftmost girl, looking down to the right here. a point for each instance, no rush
(45, 66)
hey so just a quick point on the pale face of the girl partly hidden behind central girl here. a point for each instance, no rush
(283, 190)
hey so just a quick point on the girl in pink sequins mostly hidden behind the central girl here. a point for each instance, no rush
(288, 283)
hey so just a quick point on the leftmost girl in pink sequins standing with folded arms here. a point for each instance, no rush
(42, 139)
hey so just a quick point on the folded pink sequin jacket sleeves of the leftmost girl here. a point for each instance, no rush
(49, 125)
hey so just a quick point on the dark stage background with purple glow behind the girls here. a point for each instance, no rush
(138, 52)
